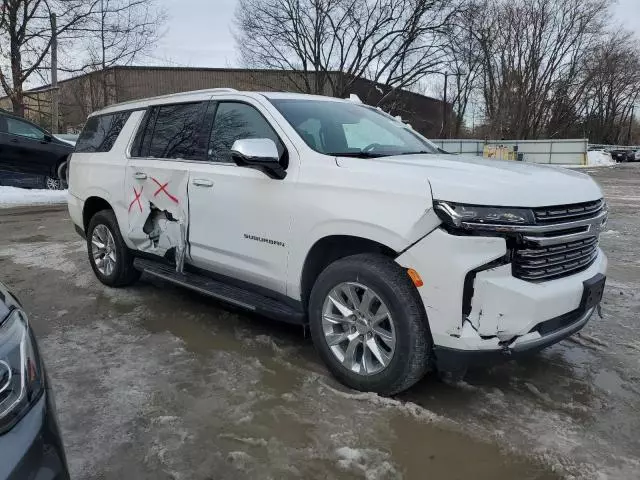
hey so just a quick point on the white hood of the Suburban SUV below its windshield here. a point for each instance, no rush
(479, 181)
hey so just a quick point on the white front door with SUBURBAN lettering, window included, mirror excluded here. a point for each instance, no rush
(240, 219)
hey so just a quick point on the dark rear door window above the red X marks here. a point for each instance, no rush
(176, 133)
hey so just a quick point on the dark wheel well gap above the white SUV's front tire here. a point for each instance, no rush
(329, 249)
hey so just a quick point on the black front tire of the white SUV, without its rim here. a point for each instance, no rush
(390, 281)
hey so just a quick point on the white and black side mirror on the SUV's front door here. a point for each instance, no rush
(258, 153)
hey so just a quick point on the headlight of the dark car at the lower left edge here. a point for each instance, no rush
(21, 382)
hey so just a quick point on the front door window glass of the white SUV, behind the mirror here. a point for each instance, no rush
(234, 121)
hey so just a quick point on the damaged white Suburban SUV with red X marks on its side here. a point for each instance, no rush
(332, 214)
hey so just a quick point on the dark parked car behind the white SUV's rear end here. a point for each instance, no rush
(28, 150)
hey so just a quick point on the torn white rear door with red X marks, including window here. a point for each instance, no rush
(157, 176)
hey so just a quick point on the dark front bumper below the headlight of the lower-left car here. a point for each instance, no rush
(33, 448)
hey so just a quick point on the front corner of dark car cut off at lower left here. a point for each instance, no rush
(30, 442)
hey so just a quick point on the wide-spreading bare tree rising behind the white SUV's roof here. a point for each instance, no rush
(326, 45)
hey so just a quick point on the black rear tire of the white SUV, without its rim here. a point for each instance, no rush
(124, 273)
